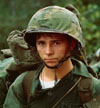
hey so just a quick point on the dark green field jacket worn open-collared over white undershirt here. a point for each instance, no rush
(48, 98)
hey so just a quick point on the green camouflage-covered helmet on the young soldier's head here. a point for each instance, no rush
(54, 19)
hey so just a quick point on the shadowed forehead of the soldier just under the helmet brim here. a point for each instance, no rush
(51, 36)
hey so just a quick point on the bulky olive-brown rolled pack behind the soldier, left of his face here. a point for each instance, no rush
(20, 50)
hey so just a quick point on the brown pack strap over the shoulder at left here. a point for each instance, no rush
(27, 84)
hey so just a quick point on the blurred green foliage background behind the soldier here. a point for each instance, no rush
(15, 14)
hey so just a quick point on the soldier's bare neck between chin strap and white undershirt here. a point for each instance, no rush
(49, 74)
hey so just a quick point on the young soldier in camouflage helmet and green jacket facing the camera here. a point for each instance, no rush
(61, 81)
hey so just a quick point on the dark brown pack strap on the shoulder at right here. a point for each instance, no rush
(85, 87)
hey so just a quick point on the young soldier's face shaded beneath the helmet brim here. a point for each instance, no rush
(52, 48)
